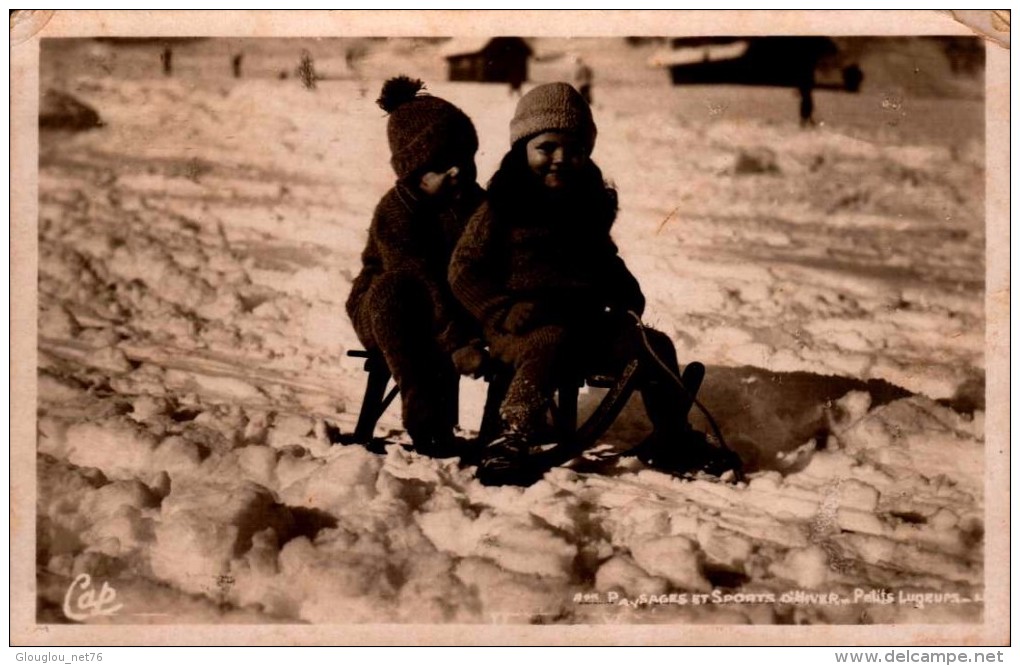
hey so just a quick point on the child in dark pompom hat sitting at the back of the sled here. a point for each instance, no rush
(401, 303)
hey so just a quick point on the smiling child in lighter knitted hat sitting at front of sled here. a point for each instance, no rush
(539, 269)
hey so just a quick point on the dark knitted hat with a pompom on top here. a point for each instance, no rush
(424, 130)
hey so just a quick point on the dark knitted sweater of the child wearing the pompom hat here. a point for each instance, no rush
(411, 234)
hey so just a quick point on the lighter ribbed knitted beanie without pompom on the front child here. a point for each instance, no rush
(553, 108)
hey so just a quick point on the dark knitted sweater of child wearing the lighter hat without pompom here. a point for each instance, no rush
(569, 267)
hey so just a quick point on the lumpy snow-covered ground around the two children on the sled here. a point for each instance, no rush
(194, 258)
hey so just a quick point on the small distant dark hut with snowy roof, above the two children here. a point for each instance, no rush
(500, 61)
